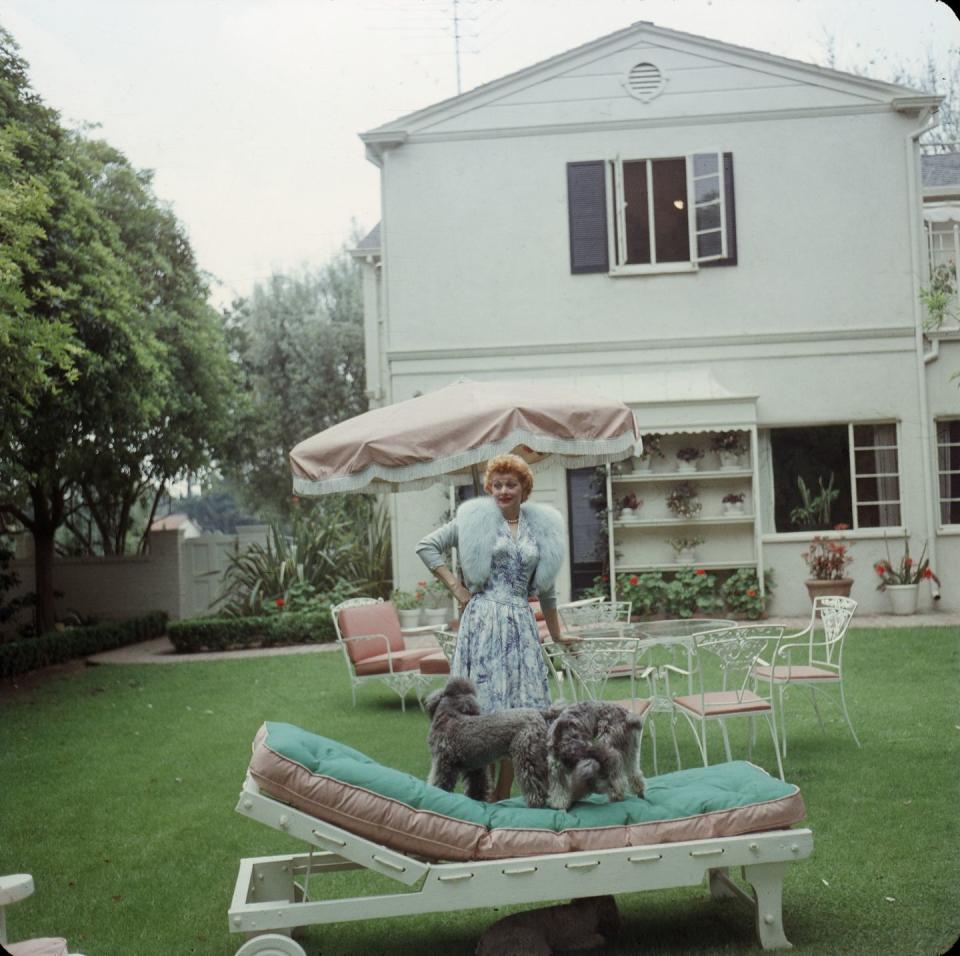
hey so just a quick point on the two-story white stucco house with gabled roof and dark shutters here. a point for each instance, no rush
(724, 239)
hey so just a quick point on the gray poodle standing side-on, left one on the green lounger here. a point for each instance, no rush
(465, 742)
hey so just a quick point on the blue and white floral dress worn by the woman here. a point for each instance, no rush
(499, 645)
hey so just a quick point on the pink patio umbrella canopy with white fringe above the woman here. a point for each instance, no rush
(444, 434)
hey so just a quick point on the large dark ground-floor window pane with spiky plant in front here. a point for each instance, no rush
(819, 458)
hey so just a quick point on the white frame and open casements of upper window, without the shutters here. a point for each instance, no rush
(617, 229)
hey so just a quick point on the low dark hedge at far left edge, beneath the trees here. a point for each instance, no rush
(55, 647)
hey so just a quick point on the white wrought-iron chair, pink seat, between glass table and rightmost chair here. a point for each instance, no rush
(728, 657)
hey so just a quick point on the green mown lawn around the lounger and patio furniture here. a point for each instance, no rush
(118, 786)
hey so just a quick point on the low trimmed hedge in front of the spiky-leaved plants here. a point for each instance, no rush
(231, 633)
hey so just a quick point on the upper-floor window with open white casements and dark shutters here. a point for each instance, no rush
(636, 216)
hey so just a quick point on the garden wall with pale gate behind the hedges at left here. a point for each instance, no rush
(181, 575)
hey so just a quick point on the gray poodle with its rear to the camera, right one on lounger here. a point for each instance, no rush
(593, 747)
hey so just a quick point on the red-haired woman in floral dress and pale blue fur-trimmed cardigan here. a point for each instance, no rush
(509, 548)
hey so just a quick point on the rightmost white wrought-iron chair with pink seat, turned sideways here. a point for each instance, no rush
(813, 657)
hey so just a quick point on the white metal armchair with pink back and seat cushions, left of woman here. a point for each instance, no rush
(374, 649)
